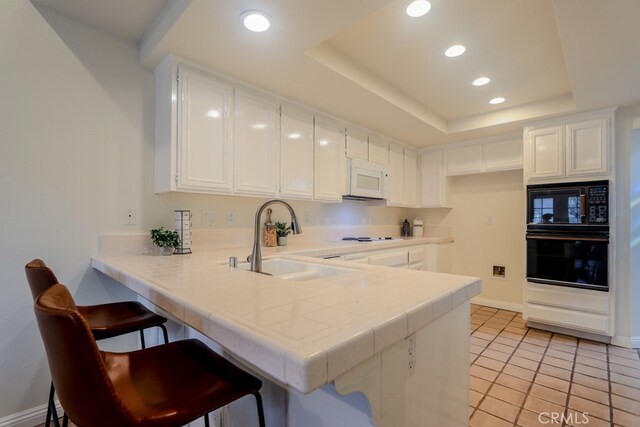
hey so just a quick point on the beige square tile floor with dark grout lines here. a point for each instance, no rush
(525, 377)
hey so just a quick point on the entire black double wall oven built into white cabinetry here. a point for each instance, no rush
(568, 234)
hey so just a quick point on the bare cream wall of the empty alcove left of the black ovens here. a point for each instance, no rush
(488, 221)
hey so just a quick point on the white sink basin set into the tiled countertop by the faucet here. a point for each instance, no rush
(287, 269)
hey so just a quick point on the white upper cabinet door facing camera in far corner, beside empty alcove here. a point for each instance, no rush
(433, 190)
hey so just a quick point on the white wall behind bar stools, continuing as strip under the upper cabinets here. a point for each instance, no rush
(77, 134)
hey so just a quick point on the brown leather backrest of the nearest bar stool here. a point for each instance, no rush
(76, 364)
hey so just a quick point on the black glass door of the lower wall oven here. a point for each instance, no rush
(579, 261)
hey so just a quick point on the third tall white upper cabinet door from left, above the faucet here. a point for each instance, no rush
(296, 153)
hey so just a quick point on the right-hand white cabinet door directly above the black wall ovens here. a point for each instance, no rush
(588, 147)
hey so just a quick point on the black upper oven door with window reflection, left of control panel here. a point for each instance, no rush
(555, 205)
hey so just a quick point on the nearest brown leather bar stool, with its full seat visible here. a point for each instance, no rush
(167, 385)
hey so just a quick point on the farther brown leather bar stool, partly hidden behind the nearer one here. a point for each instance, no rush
(105, 320)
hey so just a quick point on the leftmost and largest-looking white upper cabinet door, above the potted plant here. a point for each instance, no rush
(204, 143)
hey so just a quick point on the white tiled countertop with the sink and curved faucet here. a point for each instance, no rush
(302, 334)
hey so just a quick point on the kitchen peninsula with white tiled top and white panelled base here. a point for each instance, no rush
(399, 337)
